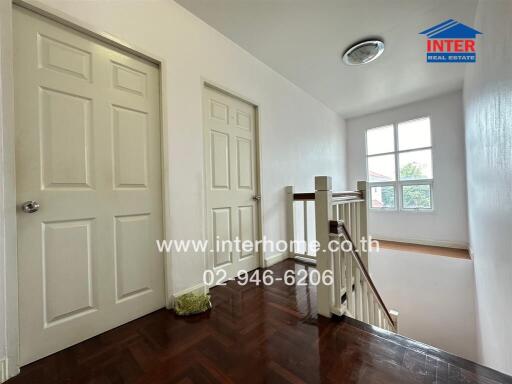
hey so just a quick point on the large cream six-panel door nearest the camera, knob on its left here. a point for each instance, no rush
(88, 152)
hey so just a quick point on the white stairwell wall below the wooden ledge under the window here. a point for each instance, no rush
(434, 295)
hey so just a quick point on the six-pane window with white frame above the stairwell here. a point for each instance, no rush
(399, 165)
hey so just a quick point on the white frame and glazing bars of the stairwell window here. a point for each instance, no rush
(399, 184)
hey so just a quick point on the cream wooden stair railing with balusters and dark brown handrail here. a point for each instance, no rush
(342, 252)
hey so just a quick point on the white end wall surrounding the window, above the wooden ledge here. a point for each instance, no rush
(447, 224)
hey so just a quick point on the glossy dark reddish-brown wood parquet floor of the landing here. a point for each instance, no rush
(254, 334)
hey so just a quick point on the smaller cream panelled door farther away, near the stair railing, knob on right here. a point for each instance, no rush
(231, 179)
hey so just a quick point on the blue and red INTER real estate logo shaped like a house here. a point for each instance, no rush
(451, 42)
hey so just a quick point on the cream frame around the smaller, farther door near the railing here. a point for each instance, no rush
(205, 83)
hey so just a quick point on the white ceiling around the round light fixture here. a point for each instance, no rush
(304, 39)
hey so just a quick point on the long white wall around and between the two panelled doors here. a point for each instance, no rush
(300, 137)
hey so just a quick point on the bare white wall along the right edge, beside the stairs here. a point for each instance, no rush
(488, 111)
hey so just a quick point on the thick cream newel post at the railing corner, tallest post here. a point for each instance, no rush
(323, 214)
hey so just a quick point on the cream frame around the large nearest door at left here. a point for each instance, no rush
(11, 365)
